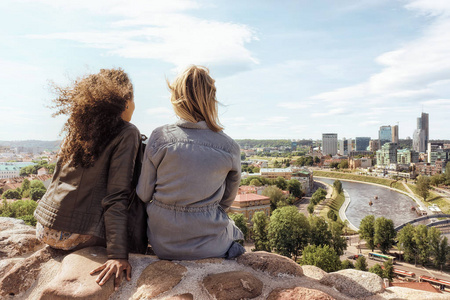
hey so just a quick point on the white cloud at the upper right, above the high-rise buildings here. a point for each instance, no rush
(410, 74)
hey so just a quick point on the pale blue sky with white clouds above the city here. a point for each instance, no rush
(283, 69)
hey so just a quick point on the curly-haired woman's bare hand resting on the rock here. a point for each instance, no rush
(110, 267)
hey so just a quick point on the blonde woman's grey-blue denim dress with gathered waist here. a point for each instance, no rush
(190, 176)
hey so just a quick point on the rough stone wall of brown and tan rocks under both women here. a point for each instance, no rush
(44, 273)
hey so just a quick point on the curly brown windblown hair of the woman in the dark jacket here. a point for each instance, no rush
(94, 104)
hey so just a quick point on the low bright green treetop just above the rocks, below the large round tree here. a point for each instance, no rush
(323, 257)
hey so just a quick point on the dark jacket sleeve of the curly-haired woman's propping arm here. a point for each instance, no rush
(115, 204)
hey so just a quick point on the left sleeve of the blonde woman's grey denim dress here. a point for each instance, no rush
(147, 180)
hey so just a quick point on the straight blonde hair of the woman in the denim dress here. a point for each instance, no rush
(193, 97)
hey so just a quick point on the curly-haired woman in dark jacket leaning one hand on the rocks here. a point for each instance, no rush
(86, 202)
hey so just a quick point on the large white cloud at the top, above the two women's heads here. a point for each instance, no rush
(152, 30)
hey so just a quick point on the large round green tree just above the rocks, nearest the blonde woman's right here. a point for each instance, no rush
(288, 231)
